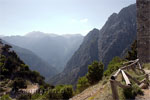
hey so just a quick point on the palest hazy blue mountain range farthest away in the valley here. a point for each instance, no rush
(52, 48)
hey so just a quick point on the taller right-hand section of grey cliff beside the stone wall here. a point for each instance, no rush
(117, 34)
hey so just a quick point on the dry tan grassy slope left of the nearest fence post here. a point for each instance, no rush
(96, 92)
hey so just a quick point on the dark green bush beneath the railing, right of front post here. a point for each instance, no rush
(131, 92)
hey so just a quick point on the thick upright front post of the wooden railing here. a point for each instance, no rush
(114, 90)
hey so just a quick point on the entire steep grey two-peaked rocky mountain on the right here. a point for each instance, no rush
(112, 40)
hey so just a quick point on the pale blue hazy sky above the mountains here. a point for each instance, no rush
(19, 17)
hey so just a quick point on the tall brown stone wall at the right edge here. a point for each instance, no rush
(143, 30)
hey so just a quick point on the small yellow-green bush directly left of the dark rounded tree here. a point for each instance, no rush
(82, 84)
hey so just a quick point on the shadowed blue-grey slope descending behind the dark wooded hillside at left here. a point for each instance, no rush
(35, 62)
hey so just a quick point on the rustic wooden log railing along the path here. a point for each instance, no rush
(128, 65)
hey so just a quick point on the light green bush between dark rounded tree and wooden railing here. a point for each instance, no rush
(113, 65)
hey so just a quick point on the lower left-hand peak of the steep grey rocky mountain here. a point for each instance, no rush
(77, 65)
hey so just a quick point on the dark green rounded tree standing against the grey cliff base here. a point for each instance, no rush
(95, 72)
